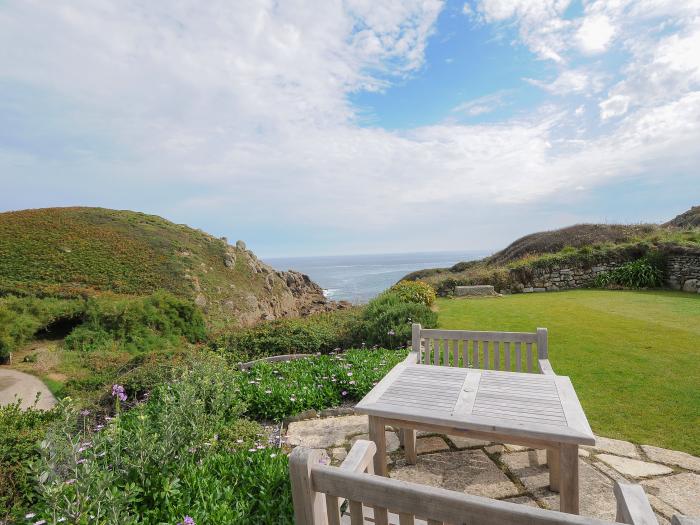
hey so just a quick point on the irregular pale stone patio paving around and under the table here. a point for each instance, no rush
(518, 474)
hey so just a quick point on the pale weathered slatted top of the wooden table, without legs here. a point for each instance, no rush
(494, 402)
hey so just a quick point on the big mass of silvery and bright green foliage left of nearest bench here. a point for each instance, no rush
(185, 451)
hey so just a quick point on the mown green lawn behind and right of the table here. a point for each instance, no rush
(633, 357)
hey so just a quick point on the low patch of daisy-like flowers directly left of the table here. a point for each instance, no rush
(278, 390)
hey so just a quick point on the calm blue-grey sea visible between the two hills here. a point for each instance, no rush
(358, 278)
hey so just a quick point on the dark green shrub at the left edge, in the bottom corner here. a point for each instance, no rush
(20, 432)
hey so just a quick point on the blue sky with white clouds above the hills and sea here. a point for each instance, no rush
(356, 126)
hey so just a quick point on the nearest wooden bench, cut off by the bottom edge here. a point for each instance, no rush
(319, 493)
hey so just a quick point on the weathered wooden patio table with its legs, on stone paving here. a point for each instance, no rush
(534, 410)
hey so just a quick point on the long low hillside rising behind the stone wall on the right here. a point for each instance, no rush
(581, 244)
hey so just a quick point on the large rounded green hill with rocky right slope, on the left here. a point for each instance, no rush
(71, 252)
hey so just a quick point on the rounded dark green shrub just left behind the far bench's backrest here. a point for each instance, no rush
(386, 321)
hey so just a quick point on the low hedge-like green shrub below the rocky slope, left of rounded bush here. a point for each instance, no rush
(317, 333)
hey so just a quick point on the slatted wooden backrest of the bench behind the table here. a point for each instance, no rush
(514, 351)
